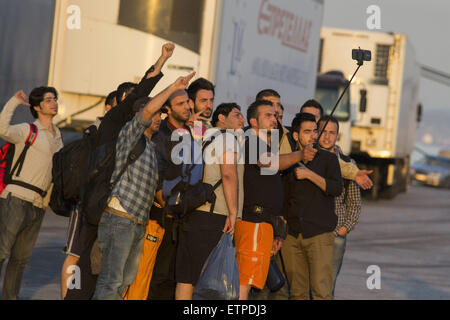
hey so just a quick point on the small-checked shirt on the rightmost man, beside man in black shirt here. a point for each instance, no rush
(348, 208)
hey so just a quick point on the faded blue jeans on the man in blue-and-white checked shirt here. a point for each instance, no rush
(120, 241)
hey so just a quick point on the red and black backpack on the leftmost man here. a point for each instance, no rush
(6, 160)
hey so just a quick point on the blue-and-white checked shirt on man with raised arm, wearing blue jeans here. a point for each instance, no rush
(136, 188)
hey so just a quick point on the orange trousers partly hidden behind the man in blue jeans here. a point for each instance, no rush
(138, 290)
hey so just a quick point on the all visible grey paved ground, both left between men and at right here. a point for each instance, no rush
(408, 238)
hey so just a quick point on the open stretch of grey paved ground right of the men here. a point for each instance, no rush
(408, 238)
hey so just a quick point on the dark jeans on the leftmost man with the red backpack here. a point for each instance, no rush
(20, 223)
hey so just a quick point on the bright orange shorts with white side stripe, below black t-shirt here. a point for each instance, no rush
(253, 243)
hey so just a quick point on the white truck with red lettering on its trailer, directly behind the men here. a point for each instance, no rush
(243, 46)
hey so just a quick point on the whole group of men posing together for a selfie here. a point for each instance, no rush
(141, 250)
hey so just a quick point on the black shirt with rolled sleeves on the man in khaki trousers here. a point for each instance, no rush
(310, 211)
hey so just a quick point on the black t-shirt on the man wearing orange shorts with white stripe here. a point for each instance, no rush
(263, 194)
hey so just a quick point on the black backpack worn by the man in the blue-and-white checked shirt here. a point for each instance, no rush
(98, 186)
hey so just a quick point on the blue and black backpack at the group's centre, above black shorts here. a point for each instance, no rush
(186, 192)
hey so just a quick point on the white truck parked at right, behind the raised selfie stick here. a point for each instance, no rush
(380, 114)
